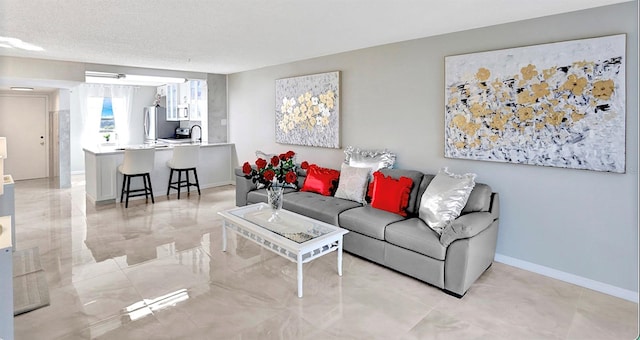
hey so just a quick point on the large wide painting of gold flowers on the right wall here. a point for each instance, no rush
(559, 104)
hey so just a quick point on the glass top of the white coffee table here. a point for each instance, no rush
(287, 224)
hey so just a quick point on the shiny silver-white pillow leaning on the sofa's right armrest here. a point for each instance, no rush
(444, 198)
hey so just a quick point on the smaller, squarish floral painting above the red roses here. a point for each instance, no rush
(308, 110)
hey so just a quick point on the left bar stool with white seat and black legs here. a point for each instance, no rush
(137, 163)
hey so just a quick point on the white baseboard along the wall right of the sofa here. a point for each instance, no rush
(571, 278)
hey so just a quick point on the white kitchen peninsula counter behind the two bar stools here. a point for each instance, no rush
(104, 182)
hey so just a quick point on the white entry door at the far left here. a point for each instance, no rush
(23, 120)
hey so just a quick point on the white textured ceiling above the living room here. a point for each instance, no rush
(227, 36)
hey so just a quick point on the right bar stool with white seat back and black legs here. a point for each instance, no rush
(184, 159)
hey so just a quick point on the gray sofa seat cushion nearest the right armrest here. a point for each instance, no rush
(413, 234)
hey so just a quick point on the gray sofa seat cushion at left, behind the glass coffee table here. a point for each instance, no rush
(323, 208)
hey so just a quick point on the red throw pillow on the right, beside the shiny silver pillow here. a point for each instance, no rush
(391, 194)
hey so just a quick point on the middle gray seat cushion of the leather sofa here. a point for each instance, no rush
(368, 221)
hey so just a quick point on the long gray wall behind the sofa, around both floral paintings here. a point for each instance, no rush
(582, 223)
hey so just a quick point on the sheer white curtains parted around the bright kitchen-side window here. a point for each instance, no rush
(91, 98)
